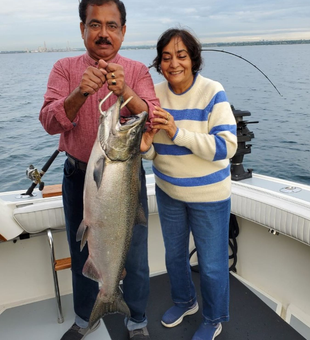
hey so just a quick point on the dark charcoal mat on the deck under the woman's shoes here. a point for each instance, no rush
(250, 318)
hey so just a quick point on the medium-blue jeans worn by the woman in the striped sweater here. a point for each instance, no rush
(209, 224)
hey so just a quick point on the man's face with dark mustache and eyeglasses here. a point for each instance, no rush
(102, 32)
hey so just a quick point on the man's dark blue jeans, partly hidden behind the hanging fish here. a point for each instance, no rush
(136, 282)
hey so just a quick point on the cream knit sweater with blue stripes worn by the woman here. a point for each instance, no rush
(194, 166)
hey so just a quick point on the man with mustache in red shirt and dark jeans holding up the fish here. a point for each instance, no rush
(75, 87)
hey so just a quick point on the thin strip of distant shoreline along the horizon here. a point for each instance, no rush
(218, 44)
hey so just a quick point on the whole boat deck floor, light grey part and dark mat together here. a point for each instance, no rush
(250, 318)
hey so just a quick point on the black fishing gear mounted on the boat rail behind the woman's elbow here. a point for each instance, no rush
(244, 135)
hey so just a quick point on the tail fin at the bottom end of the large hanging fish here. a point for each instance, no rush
(103, 307)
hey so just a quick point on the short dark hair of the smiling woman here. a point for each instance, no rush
(192, 44)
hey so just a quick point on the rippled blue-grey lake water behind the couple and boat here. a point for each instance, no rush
(281, 145)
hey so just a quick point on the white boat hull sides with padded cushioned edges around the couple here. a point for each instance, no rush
(273, 244)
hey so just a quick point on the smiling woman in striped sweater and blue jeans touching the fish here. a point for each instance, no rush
(193, 137)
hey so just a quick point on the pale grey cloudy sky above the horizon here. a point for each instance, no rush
(32, 23)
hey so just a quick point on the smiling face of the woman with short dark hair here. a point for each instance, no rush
(176, 65)
